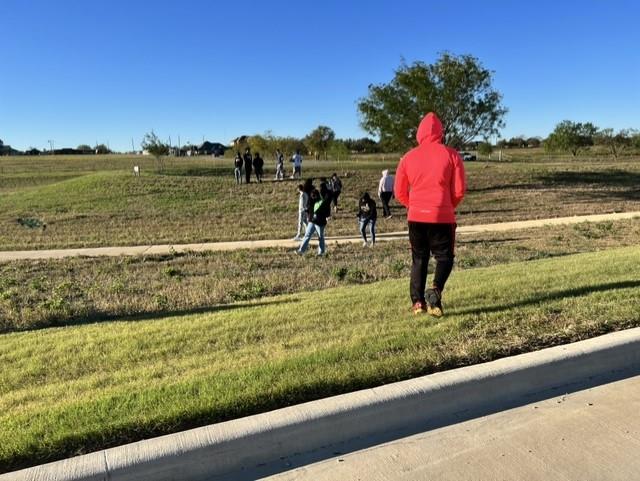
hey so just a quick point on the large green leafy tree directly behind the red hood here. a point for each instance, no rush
(457, 88)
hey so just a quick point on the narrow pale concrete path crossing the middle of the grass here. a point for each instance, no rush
(226, 246)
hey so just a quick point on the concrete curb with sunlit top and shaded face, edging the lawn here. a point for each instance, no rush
(240, 445)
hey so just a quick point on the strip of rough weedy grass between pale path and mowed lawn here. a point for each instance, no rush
(36, 294)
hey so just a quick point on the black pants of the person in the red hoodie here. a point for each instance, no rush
(427, 239)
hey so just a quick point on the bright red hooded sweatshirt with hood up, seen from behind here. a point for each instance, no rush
(430, 179)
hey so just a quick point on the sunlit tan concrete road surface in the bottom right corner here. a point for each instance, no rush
(588, 435)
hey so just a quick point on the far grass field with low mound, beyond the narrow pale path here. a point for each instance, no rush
(95, 201)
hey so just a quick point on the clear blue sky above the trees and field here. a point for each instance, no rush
(111, 70)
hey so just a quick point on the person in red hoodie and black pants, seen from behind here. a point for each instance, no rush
(430, 183)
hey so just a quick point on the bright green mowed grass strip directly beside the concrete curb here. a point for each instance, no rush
(70, 390)
